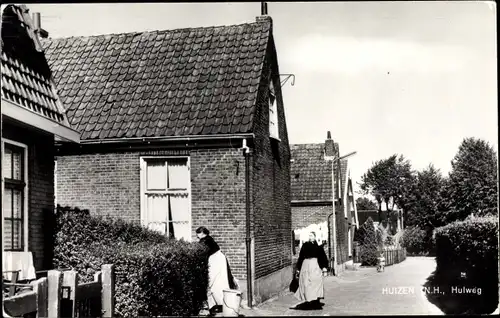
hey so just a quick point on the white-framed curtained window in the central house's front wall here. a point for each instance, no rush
(165, 196)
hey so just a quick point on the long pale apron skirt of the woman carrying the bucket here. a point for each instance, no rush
(217, 278)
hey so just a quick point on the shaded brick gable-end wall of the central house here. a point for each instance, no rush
(271, 183)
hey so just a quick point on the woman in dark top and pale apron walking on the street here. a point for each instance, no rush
(312, 266)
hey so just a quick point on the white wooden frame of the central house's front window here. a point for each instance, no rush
(143, 190)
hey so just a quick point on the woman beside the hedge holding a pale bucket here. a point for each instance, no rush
(219, 272)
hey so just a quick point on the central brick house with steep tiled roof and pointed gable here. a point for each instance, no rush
(166, 119)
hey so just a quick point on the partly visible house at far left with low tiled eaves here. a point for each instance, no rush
(32, 117)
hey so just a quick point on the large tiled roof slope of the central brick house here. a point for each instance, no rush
(198, 81)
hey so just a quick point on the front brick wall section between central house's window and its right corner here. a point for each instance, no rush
(218, 190)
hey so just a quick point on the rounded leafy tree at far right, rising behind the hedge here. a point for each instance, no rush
(472, 186)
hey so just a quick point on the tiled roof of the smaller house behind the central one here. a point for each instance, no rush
(311, 175)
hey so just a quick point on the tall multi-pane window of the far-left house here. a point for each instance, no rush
(14, 207)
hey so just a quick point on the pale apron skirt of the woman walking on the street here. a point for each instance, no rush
(310, 281)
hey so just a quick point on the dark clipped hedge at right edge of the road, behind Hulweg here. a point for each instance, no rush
(467, 256)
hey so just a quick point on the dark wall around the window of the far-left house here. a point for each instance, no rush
(40, 189)
